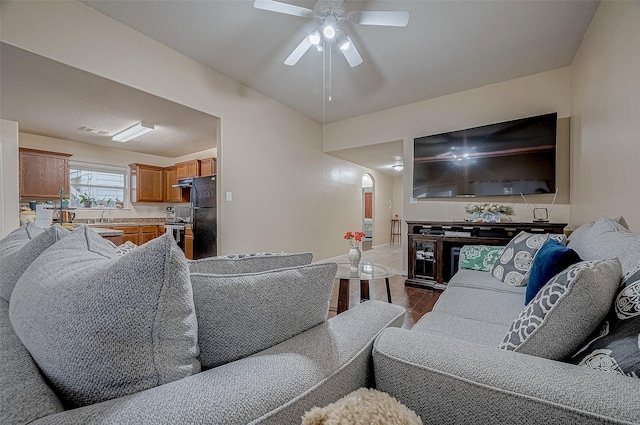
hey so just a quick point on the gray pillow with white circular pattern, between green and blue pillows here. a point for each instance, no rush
(515, 262)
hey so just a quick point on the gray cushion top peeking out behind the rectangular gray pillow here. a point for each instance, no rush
(249, 263)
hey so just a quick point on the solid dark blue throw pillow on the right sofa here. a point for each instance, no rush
(552, 258)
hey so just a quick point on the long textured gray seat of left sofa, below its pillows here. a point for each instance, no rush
(274, 386)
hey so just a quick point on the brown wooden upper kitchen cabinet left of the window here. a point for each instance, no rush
(43, 173)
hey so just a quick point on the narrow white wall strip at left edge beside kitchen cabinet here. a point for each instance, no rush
(9, 184)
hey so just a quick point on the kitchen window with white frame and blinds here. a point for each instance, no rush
(98, 185)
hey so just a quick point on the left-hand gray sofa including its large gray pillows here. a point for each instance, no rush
(90, 334)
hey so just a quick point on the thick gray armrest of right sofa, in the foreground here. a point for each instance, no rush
(445, 380)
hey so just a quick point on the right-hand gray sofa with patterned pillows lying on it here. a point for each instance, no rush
(450, 370)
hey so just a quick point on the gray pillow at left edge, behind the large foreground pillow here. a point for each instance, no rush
(18, 250)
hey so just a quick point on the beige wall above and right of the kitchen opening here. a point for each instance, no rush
(287, 194)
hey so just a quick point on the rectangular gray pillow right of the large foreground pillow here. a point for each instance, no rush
(242, 314)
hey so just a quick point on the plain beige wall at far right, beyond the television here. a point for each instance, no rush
(605, 105)
